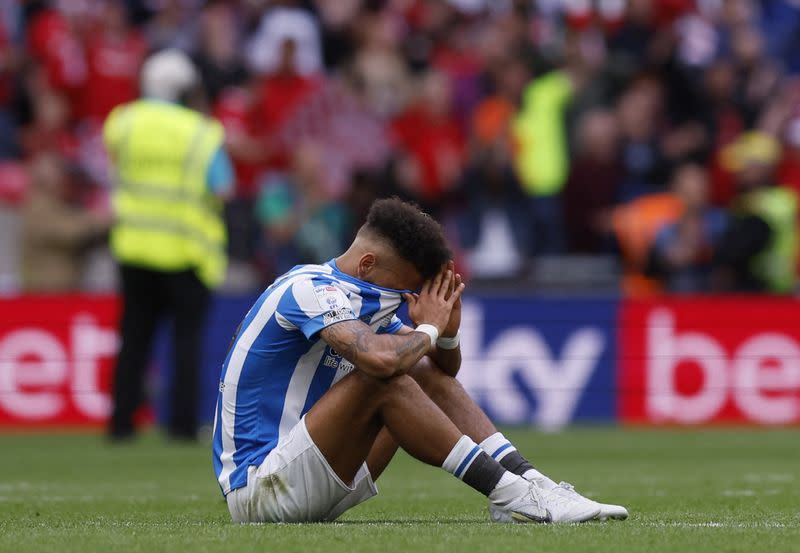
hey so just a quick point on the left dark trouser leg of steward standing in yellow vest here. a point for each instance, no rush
(140, 312)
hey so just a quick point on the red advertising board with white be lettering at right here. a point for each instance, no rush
(709, 360)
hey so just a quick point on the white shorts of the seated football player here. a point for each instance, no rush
(296, 484)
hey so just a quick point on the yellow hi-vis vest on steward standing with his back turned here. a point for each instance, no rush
(166, 218)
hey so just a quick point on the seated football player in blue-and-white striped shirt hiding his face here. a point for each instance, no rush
(323, 383)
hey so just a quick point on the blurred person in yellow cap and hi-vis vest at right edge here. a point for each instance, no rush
(759, 250)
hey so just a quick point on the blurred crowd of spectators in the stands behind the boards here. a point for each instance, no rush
(664, 133)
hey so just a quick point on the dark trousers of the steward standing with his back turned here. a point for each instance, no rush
(150, 296)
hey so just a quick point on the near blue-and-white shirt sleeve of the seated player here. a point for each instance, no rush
(315, 304)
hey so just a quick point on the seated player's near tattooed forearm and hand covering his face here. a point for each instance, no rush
(384, 355)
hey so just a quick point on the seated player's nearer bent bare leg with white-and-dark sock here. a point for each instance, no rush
(346, 422)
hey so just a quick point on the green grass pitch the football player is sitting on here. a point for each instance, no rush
(724, 490)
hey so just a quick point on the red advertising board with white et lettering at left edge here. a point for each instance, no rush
(56, 356)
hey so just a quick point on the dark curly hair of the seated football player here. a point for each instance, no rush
(414, 235)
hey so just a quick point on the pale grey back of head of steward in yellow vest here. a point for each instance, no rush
(168, 74)
